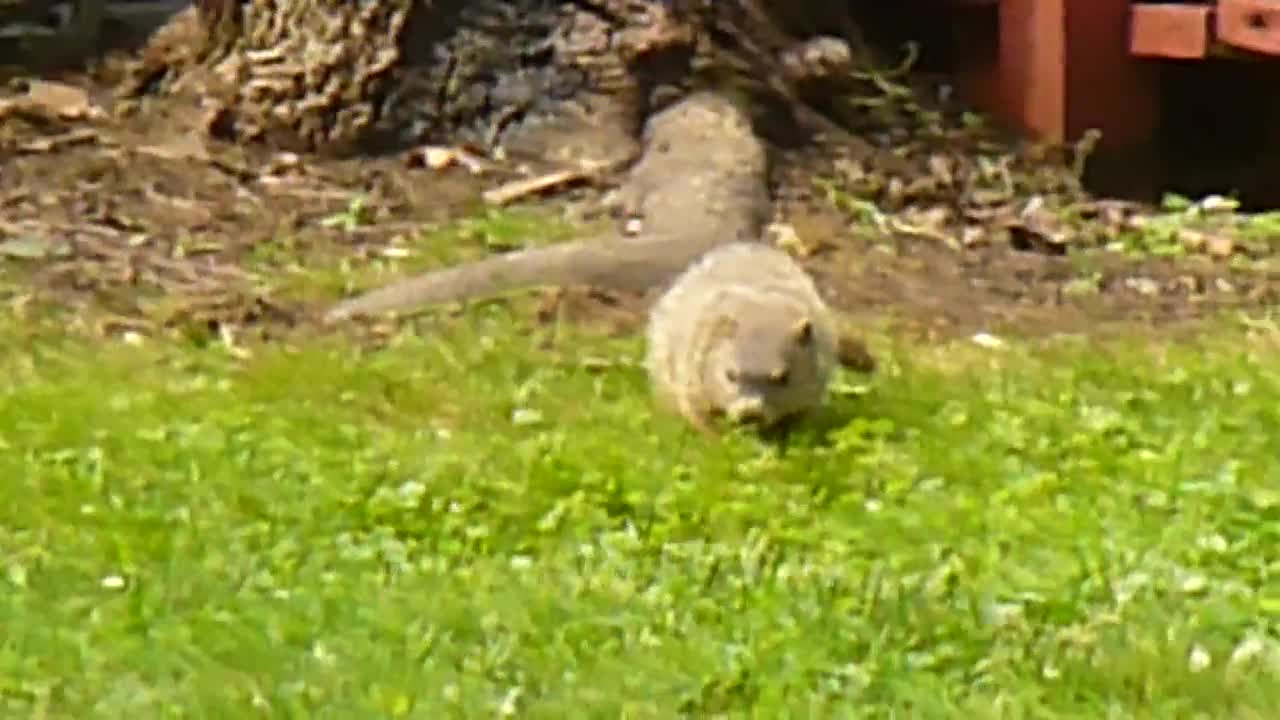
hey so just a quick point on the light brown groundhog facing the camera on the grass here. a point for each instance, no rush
(742, 334)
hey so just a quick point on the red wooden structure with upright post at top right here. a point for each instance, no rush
(1068, 66)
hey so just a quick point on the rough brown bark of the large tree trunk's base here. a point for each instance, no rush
(336, 76)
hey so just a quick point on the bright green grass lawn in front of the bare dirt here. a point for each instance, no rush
(465, 527)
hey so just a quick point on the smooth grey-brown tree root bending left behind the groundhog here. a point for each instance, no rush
(701, 181)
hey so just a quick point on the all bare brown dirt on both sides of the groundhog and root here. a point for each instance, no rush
(124, 216)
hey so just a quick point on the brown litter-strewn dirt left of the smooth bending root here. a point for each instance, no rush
(125, 212)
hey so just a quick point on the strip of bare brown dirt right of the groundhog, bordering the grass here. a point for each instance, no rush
(941, 294)
